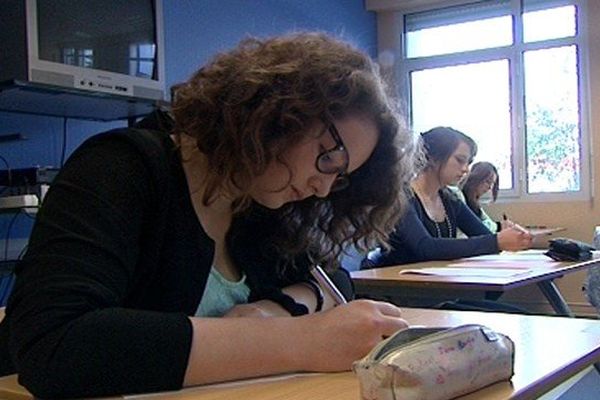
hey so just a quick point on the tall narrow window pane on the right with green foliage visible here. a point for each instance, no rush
(552, 120)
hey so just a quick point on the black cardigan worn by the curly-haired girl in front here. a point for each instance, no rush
(116, 262)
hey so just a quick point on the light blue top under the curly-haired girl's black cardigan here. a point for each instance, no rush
(220, 295)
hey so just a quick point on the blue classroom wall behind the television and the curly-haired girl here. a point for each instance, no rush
(194, 31)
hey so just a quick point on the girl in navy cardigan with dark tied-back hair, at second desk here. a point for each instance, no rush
(428, 230)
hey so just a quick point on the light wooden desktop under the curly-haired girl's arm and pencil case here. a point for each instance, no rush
(544, 357)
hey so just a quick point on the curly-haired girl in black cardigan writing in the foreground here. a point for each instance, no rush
(275, 156)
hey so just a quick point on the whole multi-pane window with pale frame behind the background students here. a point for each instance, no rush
(508, 73)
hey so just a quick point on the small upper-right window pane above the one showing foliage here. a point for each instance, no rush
(552, 23)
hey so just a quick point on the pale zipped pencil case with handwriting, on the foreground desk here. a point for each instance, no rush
(435, 363)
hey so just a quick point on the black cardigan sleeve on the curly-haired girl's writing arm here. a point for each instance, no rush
(71, 333)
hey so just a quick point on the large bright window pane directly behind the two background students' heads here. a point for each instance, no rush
(473, 98)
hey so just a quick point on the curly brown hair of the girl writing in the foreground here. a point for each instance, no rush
(248, 105)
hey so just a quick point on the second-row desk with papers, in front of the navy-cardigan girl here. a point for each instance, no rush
(537, 269)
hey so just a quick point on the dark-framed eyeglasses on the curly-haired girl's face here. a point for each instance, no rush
(335, 161)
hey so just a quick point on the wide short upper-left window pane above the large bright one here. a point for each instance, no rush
(473, 35)
